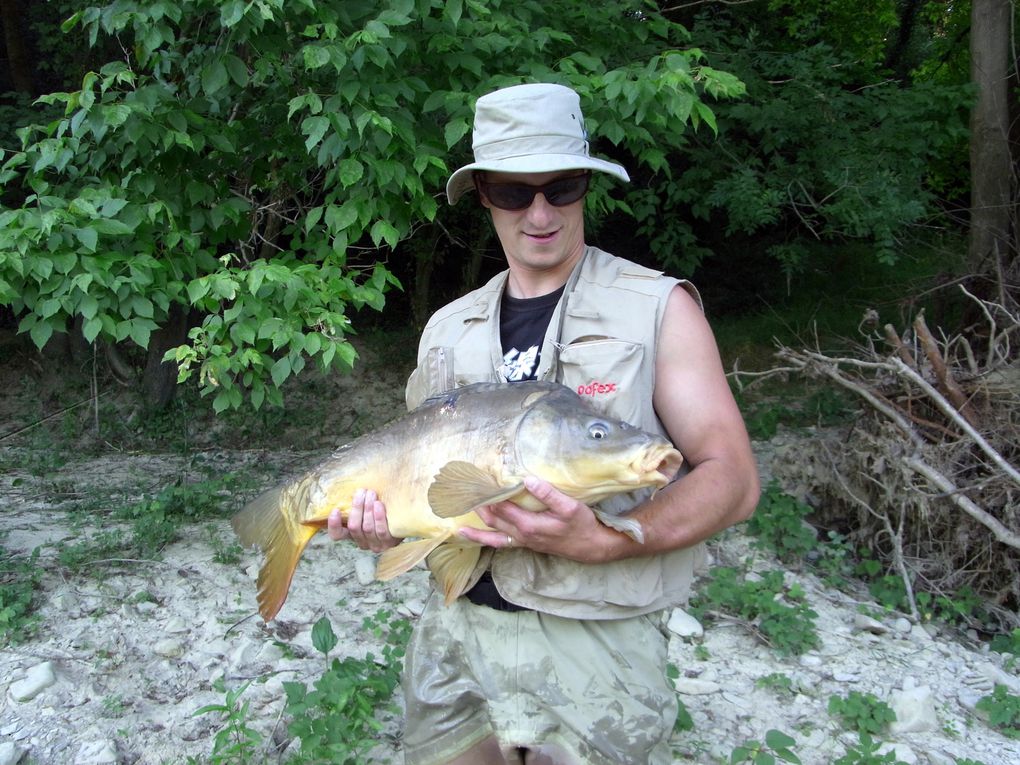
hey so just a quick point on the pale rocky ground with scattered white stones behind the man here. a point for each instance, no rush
(128, 651)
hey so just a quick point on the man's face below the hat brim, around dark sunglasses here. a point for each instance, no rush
(541, 239)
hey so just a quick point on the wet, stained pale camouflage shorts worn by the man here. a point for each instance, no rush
(583, 692)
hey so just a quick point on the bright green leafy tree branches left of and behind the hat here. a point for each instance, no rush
(254, 165)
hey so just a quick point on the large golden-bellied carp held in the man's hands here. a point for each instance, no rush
(458, 451)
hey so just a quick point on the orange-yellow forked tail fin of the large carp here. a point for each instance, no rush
(266, 523)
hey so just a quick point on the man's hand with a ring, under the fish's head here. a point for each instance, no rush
(569, 529)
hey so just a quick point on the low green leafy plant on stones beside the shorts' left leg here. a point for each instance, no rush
(337, 721)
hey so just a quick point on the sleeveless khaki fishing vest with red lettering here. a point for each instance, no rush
(601, 343)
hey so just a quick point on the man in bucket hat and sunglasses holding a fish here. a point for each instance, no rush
(557, 655)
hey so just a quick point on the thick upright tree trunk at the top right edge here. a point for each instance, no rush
(991, 251)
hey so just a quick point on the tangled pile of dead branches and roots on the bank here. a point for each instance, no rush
(929, 477)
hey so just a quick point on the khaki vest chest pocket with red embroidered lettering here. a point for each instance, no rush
(605, 372)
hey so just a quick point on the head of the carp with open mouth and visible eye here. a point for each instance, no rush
(588, 455)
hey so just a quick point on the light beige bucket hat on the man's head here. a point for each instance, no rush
(536, 128)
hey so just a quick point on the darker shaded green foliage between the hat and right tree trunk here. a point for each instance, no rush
(825, 148)
